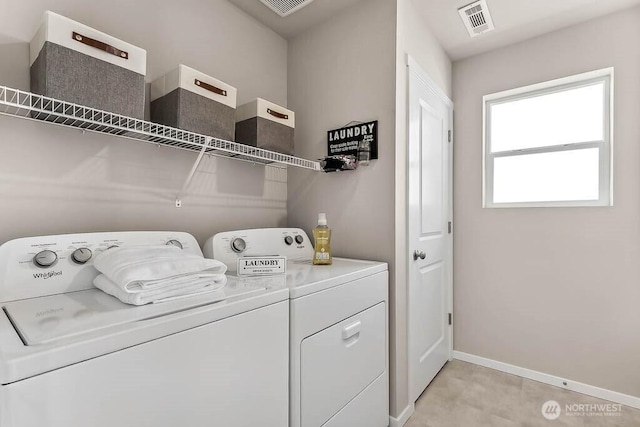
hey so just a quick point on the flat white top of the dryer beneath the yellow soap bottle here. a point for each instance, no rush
(304, 278)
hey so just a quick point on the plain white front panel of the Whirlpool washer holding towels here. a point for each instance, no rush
(230, 373)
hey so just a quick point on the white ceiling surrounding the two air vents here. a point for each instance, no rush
(514, 20)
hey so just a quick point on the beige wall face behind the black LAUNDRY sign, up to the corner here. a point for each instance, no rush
(340, 71)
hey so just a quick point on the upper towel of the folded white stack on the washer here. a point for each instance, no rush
(150, 263)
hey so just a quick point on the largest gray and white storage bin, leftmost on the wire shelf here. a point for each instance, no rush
(75, 63)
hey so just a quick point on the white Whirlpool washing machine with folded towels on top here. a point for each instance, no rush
(73, 356)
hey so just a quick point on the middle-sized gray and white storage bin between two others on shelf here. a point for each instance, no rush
(190, 100)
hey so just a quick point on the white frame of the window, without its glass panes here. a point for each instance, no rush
(605, 146)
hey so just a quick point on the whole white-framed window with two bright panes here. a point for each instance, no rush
(550, 144)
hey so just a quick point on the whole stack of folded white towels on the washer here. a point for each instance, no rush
(144, 274)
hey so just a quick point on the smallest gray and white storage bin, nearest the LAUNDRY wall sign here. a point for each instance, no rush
(264, 124)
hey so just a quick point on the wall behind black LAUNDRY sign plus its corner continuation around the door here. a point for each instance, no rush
(346, 70)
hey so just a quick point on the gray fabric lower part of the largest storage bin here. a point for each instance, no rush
(68, 75)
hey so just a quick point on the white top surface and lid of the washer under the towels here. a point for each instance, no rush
(42, 334)
